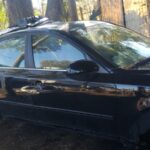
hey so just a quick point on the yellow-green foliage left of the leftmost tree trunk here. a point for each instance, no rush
(3, 16)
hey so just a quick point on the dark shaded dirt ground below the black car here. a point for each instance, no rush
(19, 135)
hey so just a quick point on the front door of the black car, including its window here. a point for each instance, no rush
(64, 100)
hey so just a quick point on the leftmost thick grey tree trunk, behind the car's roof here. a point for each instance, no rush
(18, 9)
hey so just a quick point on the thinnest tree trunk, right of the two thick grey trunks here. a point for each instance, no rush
(72, 10)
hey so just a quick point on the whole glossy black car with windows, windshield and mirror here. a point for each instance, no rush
(55, 75)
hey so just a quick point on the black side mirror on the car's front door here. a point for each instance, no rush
(83, 66)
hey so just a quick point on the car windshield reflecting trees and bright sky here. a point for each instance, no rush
(121, 47)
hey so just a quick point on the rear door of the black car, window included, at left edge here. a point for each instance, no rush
(13, 73)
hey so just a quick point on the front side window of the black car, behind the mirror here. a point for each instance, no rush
(53, 52)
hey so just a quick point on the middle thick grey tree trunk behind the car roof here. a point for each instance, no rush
(54, 10)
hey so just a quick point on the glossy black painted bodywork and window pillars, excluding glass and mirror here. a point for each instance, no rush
(108, 103)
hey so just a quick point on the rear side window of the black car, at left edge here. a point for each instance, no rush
(12, 52)
